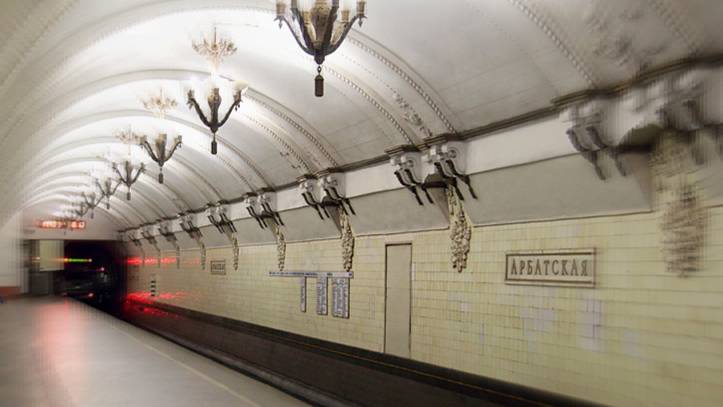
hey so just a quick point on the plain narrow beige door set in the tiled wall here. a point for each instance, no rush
(398, 300)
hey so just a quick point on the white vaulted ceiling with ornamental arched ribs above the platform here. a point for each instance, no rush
(73, 72)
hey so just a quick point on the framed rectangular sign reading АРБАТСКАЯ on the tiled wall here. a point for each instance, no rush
(561, 267)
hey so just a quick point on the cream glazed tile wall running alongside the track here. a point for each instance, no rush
(640, 337)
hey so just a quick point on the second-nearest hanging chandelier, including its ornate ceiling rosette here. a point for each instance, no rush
(215, 50)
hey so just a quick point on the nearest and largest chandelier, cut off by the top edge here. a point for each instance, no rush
(317, 29)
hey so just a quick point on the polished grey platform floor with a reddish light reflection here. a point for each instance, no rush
(59, 352)
